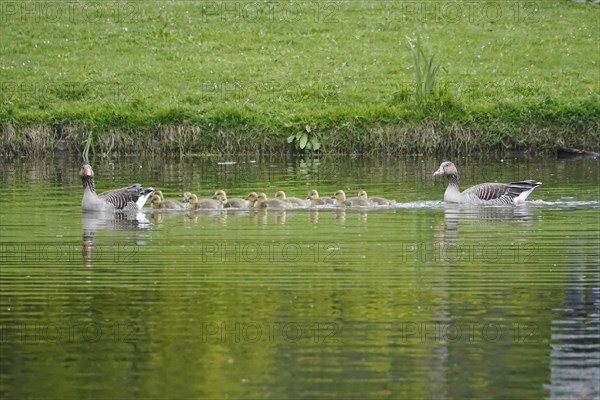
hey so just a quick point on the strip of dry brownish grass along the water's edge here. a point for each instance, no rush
(428, 139)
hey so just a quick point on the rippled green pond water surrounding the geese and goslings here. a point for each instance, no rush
(421, 300)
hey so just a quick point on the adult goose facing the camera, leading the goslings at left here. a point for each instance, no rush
(130, 198)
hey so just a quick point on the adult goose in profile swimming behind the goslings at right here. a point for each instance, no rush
(484, 193)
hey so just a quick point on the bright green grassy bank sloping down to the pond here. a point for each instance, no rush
(186, 76)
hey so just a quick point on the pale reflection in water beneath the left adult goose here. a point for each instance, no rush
(98, 220)
